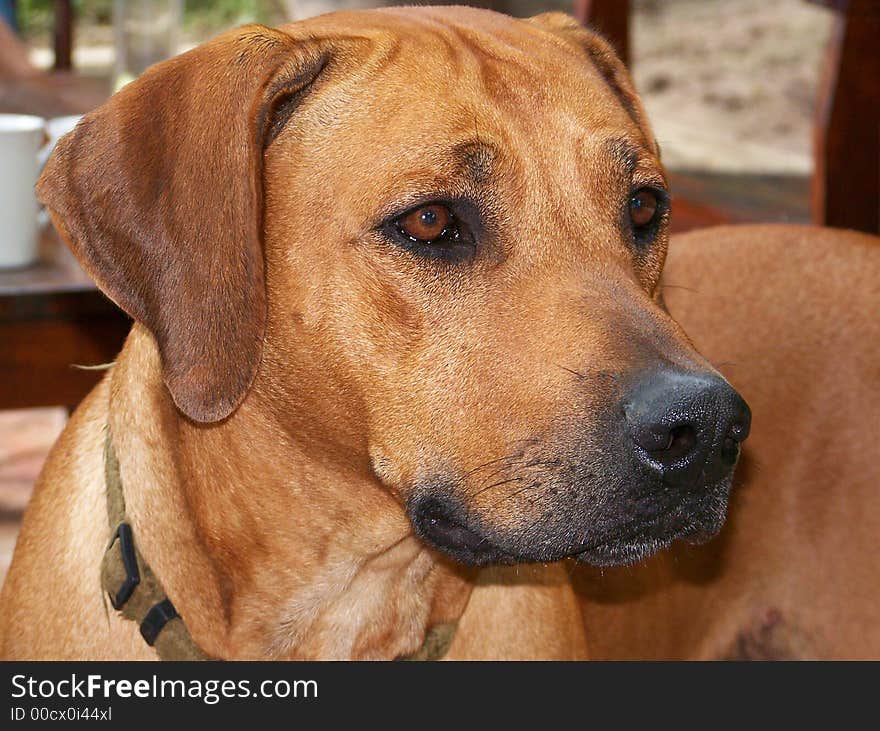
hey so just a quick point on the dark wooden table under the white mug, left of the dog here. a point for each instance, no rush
(52, 317)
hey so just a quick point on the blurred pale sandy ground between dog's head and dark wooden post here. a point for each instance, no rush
(730, 85)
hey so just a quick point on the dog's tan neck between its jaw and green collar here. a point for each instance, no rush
(252, 539)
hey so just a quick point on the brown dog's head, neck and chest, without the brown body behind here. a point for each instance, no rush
(395, 276)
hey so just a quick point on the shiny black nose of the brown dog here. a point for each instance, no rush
(686, 427)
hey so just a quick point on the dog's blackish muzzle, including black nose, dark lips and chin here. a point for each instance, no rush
(659, 468)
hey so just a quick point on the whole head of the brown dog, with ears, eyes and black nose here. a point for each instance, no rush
(443, 230)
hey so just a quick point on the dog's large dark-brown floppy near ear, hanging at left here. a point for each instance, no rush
(159, 194)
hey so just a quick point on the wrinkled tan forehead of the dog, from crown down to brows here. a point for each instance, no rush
(436, 100)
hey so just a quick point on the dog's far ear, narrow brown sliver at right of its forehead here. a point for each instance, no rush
(603, 57)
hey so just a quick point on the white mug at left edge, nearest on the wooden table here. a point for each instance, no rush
(21, 138)
